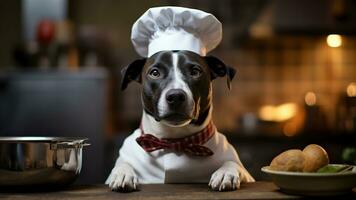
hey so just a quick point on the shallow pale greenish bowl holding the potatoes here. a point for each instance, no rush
(312, 183)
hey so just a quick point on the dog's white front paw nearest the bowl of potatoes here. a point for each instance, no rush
(226, 178)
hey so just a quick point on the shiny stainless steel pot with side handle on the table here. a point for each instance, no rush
(35, 161)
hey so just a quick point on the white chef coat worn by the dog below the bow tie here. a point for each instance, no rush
(168, 166)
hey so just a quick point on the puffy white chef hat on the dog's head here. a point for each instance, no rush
(175, 28)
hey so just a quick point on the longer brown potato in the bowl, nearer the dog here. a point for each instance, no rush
(290, 160)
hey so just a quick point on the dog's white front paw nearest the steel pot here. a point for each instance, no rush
(123, 179)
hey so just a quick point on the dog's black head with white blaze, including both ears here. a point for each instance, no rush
(176, 85)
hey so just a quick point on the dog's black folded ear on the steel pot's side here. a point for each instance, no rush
(132, 72)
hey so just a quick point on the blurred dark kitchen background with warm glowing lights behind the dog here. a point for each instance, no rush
(60, 64)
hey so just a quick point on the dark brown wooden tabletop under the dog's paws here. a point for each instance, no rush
(258, 190)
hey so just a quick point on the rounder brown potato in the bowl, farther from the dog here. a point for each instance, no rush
(315, 158)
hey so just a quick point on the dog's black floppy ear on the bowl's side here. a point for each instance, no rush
(219, 69)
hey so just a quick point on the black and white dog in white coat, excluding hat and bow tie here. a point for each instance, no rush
(177, 102)
